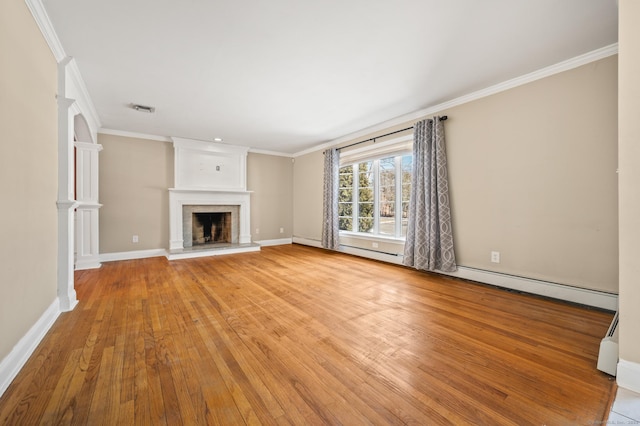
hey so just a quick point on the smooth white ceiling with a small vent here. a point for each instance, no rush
(286, 75)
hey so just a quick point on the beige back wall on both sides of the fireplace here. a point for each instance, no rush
(135, 175)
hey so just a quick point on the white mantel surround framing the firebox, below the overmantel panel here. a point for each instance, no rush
(183, 197)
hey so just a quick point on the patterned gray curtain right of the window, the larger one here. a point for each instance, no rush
(429, 242)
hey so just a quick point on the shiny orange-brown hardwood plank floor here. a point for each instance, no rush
(297, 335)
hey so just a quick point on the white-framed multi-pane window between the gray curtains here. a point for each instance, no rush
(374, 196)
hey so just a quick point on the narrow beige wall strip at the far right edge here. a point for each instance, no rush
(629, 157)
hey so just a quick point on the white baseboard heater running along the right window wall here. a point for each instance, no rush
(598, 299)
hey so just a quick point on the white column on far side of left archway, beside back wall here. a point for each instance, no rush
(87, 212)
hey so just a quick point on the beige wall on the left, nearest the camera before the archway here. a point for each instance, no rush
(28, 174)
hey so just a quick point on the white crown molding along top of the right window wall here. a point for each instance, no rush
(569, 64)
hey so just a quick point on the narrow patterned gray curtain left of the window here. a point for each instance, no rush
(330, 227)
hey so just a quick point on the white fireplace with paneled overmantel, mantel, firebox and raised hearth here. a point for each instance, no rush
(209, 207)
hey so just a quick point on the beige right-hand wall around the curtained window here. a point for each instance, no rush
(532, 175)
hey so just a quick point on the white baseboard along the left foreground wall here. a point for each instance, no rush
(11, 365)
